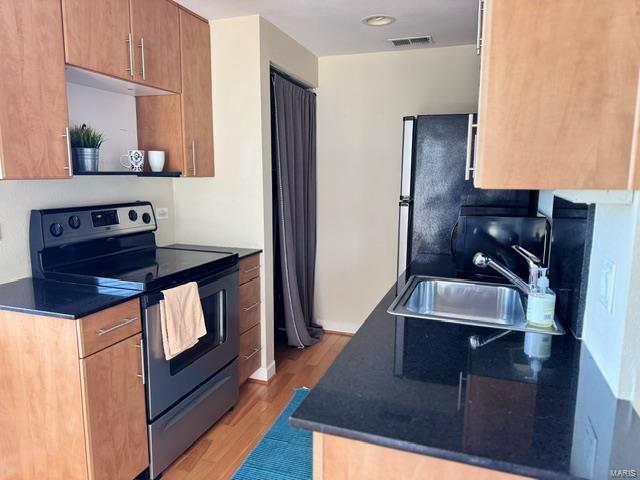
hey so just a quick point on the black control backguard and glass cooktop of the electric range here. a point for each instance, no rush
(114, 246)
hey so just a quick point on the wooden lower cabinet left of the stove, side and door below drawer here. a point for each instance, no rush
(66, 417)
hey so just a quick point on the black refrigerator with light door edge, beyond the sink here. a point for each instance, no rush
(437, 186)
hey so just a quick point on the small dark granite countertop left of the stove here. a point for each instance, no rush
(60, 299)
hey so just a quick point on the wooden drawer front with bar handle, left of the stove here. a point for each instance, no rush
(107, 327)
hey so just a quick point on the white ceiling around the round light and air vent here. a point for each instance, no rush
(333, 27)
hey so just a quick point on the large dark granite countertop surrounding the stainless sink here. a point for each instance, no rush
(415, 385)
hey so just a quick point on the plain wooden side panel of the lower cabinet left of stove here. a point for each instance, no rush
(40, 399)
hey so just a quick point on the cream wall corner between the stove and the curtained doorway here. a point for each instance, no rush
(234, 208)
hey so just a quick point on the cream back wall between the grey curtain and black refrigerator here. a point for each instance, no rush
(361, 102)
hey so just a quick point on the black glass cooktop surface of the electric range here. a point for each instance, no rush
(145, 270)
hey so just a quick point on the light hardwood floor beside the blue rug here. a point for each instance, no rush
(222, 449)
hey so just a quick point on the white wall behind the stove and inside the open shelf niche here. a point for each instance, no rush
(113, 114)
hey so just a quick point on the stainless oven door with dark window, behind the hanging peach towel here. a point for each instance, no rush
(168, 381)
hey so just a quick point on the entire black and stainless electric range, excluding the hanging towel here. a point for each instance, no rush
(114, 246)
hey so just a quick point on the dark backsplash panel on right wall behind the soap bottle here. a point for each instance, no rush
(572, 232)
